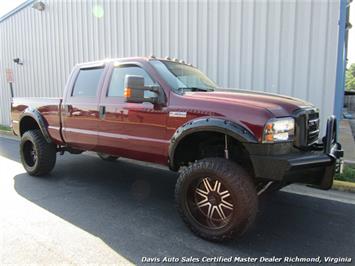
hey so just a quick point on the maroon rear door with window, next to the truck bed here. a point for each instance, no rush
(80, 114)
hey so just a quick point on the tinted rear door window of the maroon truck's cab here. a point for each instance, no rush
(87, 82)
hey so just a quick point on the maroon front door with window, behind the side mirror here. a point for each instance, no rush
(133, 130)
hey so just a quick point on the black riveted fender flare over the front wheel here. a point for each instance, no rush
(220, 125)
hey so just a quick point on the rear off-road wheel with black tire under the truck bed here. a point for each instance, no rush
(45, 153)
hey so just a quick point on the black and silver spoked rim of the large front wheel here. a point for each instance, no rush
(210, 203)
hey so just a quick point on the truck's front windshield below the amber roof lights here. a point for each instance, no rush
(183, 77)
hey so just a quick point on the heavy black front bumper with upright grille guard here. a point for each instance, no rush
(316, 166)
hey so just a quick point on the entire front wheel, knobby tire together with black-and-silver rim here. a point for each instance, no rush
(216, 198)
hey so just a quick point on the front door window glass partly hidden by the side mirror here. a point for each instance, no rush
(117, 80)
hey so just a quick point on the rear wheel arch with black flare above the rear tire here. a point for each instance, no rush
(32, 119)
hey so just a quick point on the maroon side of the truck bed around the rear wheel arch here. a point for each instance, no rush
(49, 108)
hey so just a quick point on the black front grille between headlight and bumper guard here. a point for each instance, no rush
(307, 127)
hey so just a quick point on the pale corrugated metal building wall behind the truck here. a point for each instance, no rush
(287, 47)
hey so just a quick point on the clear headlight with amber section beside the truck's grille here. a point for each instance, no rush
(278, 130)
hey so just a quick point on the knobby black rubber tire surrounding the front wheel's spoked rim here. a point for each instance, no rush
(234, 179)
